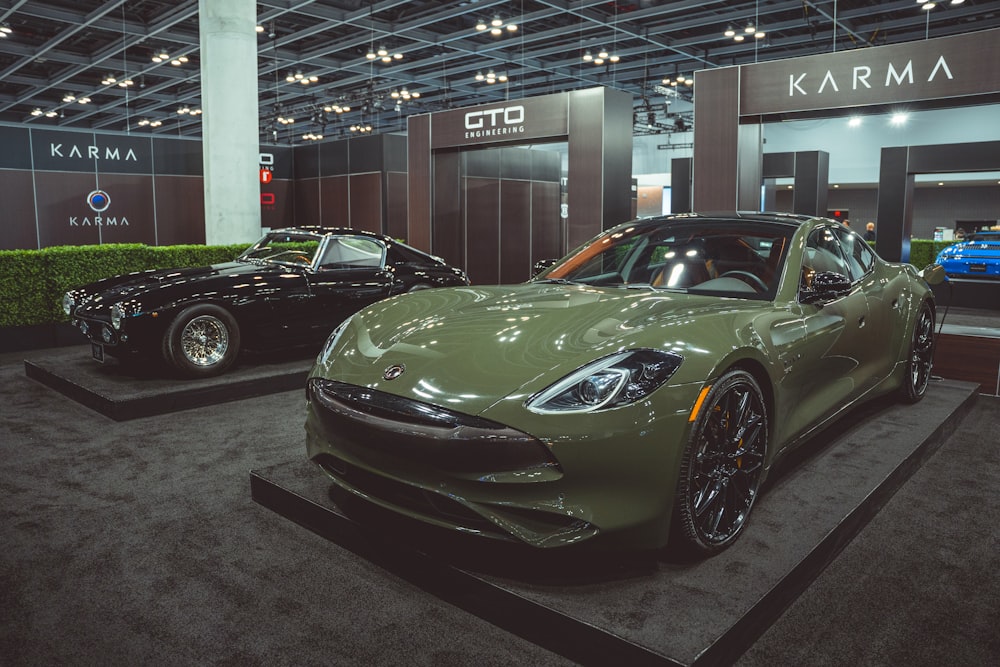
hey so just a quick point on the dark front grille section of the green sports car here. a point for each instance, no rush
(423, 434)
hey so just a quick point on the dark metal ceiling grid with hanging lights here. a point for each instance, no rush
(62, 48)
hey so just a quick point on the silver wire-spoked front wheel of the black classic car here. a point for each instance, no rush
(202, 341)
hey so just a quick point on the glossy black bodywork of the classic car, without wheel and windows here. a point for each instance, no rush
(276, 305)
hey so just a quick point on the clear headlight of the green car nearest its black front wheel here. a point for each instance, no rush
(620, 379)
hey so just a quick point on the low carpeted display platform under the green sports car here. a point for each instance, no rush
(639, 609)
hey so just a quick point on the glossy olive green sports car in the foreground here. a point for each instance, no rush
(636, 392)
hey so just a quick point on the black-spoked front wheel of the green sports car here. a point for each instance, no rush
(722, 467)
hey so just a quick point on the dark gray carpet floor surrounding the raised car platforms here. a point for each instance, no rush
(127, 543)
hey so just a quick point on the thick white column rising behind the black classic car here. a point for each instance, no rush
(229, 121)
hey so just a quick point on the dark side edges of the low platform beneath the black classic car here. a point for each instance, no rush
(183, 395)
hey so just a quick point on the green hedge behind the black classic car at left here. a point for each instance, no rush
(32, 282)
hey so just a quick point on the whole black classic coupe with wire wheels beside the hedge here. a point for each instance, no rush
(290, 288)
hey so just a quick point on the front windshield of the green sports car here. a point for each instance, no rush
(731, 257)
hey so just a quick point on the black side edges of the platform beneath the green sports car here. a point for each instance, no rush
(574, 638)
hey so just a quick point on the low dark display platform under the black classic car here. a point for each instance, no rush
(124, 393)
